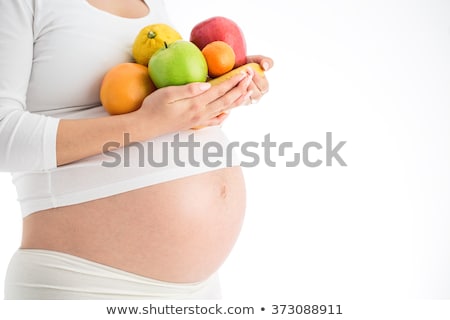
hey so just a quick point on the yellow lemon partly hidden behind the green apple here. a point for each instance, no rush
(150, 39)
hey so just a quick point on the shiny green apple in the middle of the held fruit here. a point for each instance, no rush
(178, 63)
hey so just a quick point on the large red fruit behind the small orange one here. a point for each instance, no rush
(221, 29)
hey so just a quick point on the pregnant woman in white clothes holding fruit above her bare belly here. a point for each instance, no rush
(128, 231)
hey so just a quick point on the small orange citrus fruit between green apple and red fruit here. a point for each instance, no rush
(220, 58)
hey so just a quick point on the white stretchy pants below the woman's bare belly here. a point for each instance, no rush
(42, 274)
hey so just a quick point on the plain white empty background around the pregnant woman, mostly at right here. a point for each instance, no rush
(377, 75)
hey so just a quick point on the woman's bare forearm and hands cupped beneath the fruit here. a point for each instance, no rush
(164, 111)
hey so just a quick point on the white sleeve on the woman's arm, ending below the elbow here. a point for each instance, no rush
(27, 141)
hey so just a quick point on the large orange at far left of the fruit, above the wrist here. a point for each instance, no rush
(124, 87)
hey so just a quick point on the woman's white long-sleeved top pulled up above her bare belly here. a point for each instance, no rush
(53, 56)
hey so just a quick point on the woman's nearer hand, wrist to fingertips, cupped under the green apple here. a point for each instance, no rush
(179, 108)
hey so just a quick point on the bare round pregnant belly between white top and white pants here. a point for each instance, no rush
(179, 231)
